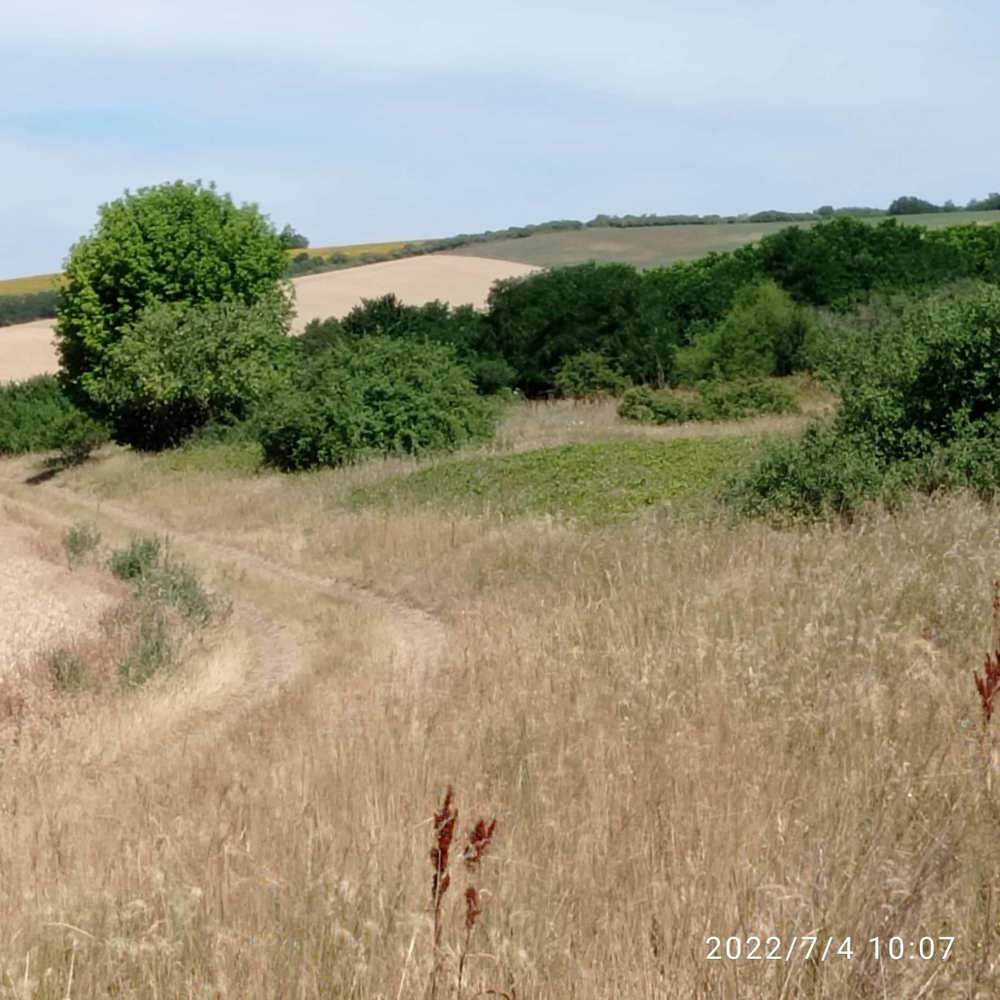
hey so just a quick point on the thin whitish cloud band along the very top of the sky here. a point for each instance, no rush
(773, 51)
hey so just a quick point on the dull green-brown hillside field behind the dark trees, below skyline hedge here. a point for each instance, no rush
(656, 246)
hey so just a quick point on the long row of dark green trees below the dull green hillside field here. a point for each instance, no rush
(737, 313)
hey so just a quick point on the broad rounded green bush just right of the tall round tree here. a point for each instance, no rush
(374, 395)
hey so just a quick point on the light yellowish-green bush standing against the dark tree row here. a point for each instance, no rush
(764, 333)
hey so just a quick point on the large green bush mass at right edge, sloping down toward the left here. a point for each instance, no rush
(920, 409)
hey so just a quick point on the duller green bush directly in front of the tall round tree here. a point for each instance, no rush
(180, 367)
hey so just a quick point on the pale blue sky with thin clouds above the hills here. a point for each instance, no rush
(388, 119)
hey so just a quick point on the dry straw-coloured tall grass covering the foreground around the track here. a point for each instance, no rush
(685, 727)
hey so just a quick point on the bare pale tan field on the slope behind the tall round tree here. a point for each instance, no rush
(27, 349)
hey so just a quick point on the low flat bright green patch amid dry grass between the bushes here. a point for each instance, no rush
(597, 482)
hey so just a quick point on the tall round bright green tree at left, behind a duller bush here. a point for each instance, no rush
(176, 243)
